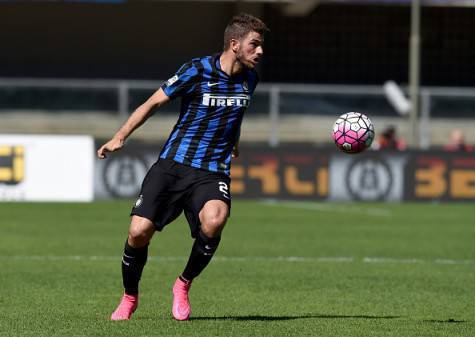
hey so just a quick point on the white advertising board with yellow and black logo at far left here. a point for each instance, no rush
(46, 168)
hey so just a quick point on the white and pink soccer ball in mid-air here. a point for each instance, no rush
(353, 132)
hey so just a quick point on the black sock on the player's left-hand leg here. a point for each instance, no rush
(133, 261)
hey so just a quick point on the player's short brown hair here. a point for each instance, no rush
(241, 25)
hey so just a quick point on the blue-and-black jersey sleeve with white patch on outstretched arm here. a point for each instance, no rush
(183, 82)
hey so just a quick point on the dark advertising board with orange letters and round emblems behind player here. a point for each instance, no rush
(307, 172)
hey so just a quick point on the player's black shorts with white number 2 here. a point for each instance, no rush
(170, 188)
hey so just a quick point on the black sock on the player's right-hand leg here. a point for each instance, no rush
(201, 253)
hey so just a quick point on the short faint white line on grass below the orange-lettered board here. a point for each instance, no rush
(328, 207)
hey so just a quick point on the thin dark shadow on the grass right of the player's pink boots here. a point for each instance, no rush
(286, 318)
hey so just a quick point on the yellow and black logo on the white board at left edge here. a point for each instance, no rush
(12, 164)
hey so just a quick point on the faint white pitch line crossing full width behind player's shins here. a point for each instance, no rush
(289, 259)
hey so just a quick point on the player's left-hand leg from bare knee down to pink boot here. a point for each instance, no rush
(134, 258)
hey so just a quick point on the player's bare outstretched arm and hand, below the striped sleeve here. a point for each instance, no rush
(136, 119)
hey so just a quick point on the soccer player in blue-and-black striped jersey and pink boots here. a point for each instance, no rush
(192, 172)
